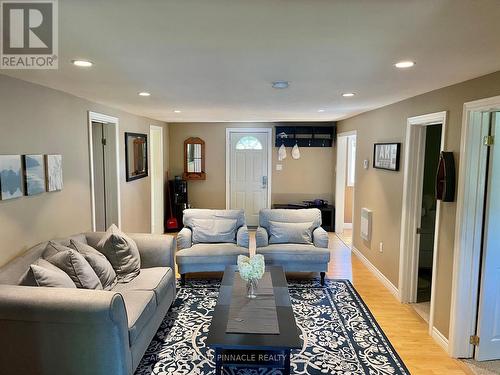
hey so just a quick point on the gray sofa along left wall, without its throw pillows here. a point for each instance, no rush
(80, 331)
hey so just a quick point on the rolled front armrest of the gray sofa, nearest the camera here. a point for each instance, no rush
(63, 331)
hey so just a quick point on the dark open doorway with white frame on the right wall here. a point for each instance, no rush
(420, 216)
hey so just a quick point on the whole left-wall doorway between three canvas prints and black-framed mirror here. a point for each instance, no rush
(104, 171)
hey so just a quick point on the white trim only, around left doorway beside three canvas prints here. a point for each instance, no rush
(105, 119)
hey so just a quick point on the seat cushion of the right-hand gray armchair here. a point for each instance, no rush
(280, 253)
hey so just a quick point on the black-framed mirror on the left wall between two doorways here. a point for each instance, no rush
(136, 156)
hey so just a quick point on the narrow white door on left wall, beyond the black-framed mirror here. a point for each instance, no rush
(157, 181)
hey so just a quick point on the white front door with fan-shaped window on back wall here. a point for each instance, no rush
(248, 173)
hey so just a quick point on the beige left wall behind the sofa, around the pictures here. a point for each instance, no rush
(39, 120)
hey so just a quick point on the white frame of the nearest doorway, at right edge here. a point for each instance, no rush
(468, 228)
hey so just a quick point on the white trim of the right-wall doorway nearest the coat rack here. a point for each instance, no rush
(340, 178)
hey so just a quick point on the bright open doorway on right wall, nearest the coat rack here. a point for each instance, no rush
(344, 185)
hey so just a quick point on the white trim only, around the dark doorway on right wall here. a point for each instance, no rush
(412, 208)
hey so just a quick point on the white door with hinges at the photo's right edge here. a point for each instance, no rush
(489, 301)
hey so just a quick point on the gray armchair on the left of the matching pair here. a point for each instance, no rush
(210, 240)
